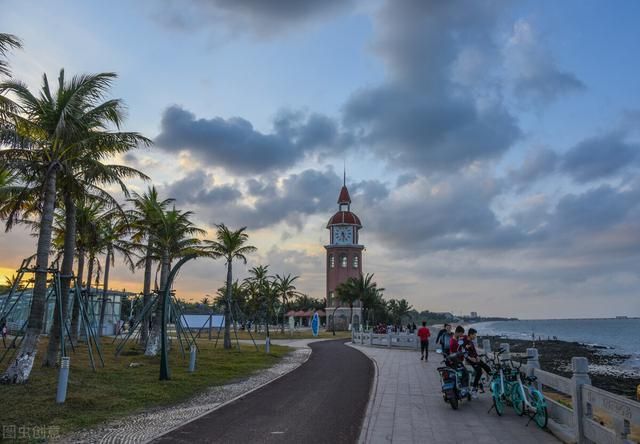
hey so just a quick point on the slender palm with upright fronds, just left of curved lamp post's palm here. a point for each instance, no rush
(145, 215)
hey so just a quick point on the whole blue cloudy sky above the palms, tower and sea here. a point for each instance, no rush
(491, 147)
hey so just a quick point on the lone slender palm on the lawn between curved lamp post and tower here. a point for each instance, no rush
(229, 245)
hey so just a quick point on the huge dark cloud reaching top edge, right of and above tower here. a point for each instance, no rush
(419, 118)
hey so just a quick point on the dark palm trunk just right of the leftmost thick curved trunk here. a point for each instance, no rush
(66, 271)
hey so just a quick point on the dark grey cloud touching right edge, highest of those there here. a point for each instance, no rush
(600, 157)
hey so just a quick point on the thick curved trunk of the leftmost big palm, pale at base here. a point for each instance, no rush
(20, 368)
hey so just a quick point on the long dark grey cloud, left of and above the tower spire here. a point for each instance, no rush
(234, 143)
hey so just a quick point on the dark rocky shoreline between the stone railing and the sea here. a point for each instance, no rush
(605, 368)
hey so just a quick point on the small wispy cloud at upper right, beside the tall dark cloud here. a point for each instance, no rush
(533, 72)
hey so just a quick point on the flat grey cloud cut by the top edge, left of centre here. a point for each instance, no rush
(259, 17)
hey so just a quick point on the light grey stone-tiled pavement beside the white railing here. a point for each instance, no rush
(406, 406)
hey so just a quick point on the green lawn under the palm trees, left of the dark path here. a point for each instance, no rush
(118, 389)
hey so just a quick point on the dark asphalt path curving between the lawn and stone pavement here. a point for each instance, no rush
(324, 400)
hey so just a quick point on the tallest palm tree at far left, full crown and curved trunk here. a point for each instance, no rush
(64, 132)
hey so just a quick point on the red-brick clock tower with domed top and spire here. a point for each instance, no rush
(344, 260)
